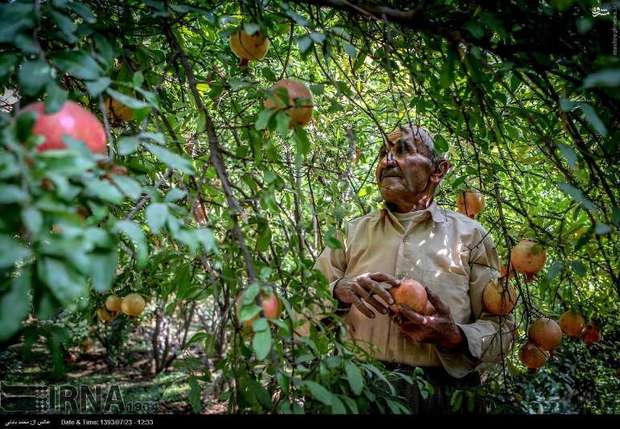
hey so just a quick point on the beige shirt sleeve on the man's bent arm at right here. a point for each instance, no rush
(485, 344)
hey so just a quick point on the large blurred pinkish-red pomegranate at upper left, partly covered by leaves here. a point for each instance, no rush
(72, 120)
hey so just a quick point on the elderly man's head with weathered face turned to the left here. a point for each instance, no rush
(405, 170)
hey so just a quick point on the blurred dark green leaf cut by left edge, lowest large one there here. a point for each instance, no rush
(15, 305)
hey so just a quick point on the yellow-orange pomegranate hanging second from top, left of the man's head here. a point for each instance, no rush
(299, 104)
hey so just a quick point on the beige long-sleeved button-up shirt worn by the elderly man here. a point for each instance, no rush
(446, 251)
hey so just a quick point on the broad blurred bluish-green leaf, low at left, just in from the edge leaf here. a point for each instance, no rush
(64, 282)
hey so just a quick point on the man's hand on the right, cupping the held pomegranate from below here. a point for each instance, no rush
(438, 328)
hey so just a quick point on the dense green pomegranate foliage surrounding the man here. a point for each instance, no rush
(532, 125)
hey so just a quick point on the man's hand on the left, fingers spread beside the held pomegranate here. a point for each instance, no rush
(359, 291)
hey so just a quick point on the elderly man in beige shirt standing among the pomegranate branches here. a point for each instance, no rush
(449, 253)
